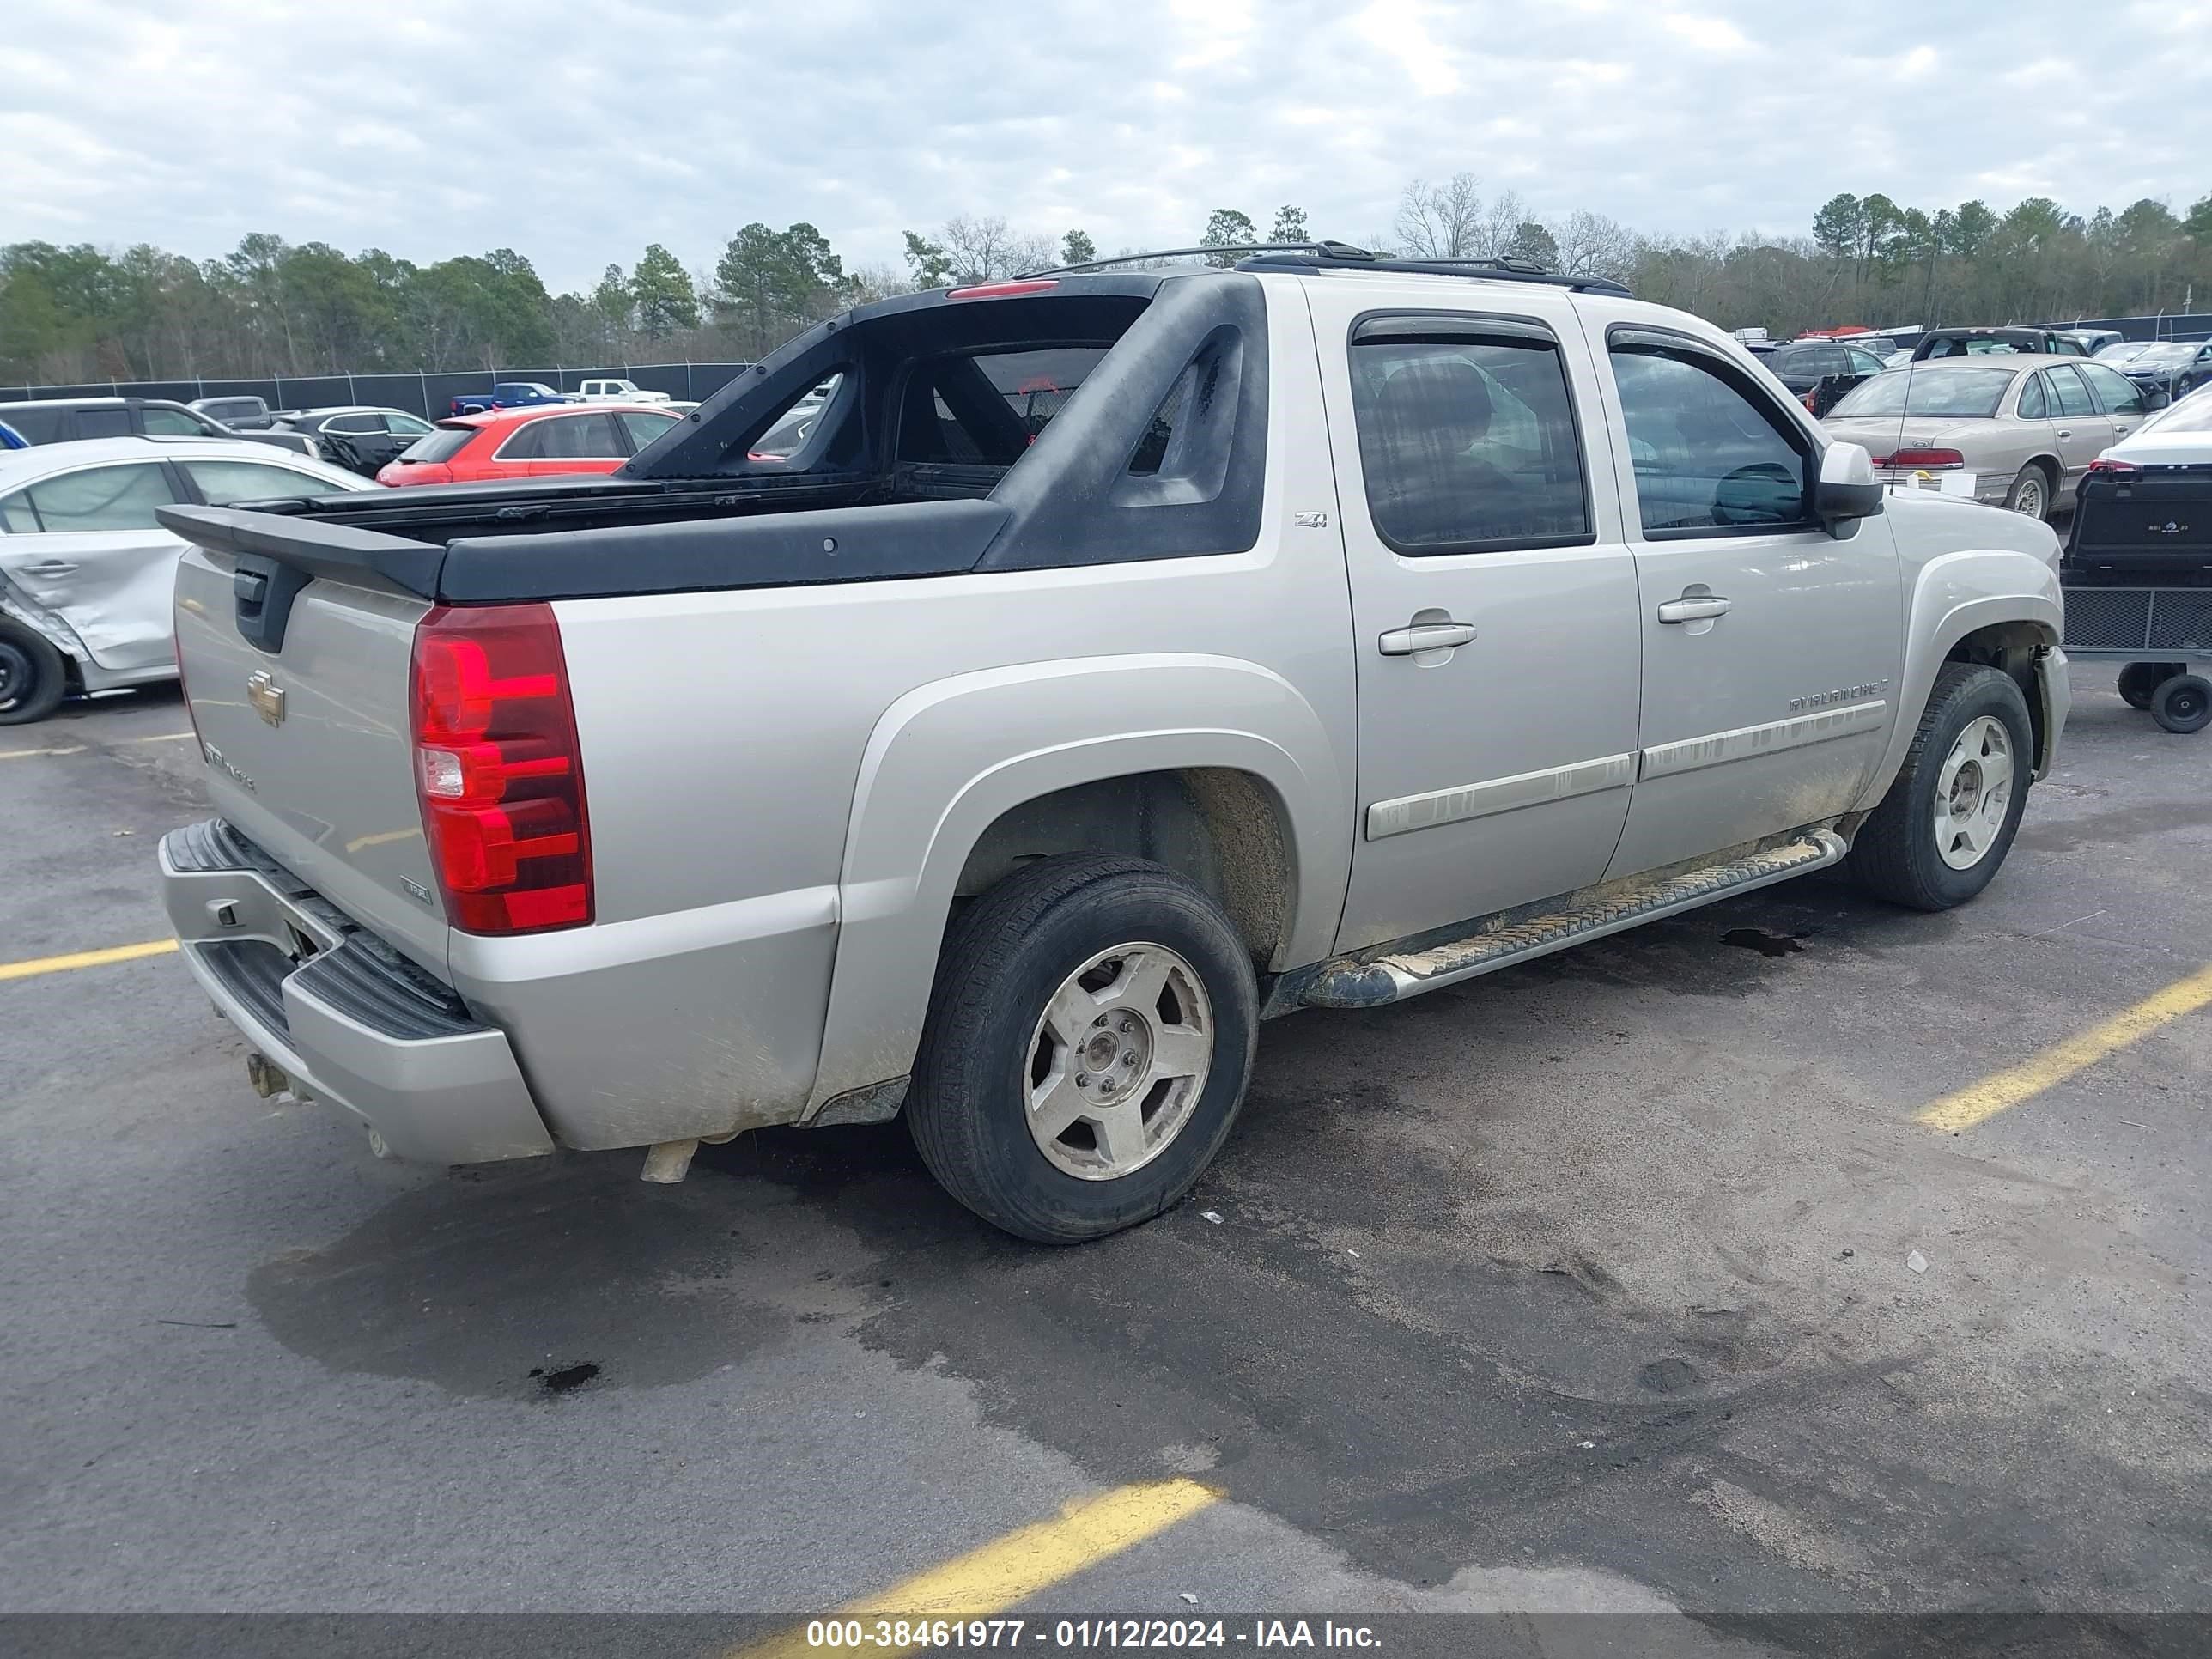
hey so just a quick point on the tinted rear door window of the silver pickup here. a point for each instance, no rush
(1468, 444)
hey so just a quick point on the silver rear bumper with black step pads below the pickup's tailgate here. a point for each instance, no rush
(342, 1012)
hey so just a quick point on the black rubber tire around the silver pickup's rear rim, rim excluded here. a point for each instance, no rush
(1003, 963)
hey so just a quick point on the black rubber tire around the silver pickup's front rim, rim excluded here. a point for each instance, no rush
(1895, 855)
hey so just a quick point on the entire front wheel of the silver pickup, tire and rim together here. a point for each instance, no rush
(1954, 808)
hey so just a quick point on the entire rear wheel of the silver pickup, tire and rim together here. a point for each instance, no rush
(1087, 1050)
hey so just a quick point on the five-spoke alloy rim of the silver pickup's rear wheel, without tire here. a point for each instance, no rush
(1118, 1061)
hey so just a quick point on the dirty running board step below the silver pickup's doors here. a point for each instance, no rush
(1388, 977)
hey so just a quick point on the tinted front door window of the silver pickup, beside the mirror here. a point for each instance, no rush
(1707, 455)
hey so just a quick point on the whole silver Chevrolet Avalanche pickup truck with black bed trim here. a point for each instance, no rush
(1116, 660)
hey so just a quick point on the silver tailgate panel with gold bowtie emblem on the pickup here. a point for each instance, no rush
(309, 744)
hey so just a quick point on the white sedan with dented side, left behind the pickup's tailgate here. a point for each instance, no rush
(87, 570)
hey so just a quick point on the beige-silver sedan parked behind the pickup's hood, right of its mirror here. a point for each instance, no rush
(2012, 430)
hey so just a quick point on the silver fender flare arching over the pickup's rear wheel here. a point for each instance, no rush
(954, 755)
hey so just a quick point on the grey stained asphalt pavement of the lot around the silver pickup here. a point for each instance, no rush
(1580, 1288)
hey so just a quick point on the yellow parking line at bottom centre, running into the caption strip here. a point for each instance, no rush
(1019, 1565)
